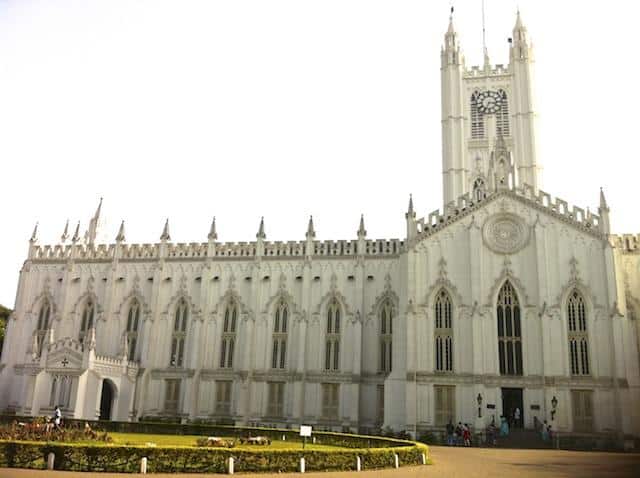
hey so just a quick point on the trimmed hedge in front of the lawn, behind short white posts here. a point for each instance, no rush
(115, 458)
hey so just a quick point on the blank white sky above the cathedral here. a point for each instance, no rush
(238, 109)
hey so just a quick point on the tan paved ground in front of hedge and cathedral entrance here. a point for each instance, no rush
(453, 462)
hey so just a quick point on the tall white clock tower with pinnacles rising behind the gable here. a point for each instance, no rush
(483, 107)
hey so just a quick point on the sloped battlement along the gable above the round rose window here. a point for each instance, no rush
(465, 204)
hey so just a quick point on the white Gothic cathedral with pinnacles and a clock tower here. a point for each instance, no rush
(507, 298)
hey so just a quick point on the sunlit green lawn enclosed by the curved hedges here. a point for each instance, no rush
(190, 440)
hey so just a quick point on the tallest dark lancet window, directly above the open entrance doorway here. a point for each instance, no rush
(509, 331)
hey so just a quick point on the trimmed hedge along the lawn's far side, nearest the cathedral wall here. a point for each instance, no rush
(344, 440)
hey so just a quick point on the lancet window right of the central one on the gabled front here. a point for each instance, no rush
(578, 337)
